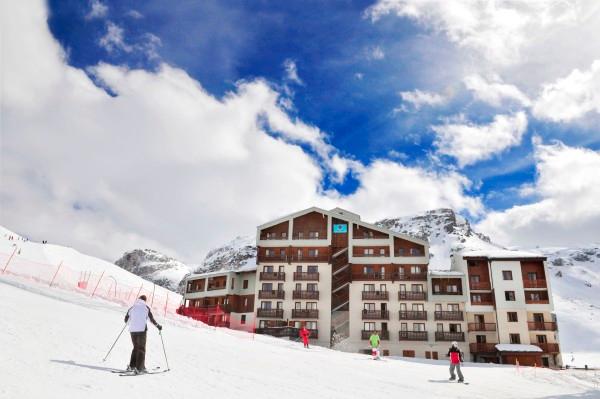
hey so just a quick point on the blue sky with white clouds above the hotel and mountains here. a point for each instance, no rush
(229, 113)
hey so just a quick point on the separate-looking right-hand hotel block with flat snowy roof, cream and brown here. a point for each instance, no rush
(509, 303)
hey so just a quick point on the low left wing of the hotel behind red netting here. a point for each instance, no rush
(221, 298)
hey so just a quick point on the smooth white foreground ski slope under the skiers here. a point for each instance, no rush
(59, 341)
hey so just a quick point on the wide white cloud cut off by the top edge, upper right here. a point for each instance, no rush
(496, 29)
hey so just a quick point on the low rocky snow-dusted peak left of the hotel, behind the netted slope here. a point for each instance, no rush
(155, 266)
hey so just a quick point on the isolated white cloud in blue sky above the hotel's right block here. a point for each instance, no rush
(470, 143)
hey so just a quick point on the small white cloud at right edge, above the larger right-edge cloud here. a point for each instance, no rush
(570, 97)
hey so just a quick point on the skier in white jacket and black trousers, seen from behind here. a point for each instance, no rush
(137, 316)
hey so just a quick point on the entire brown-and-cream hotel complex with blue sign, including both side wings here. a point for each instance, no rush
(344, 278)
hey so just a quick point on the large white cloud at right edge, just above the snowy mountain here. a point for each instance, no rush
(566, 210)
